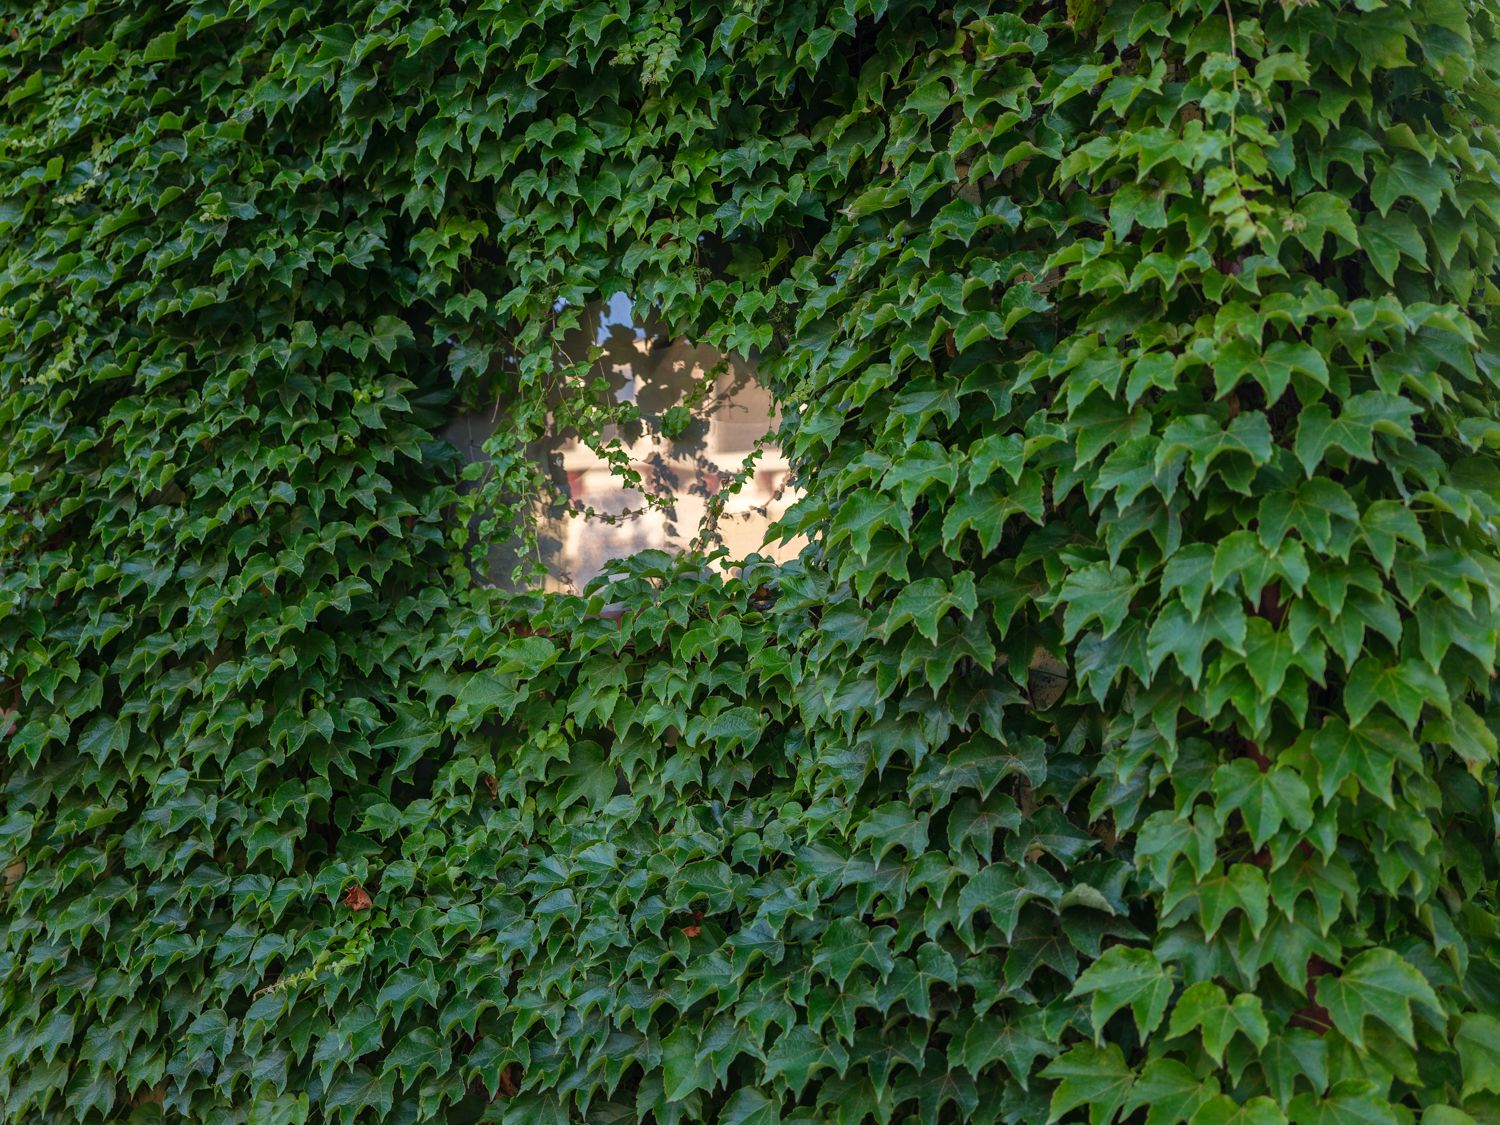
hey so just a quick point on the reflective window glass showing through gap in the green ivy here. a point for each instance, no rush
(703, 416)
